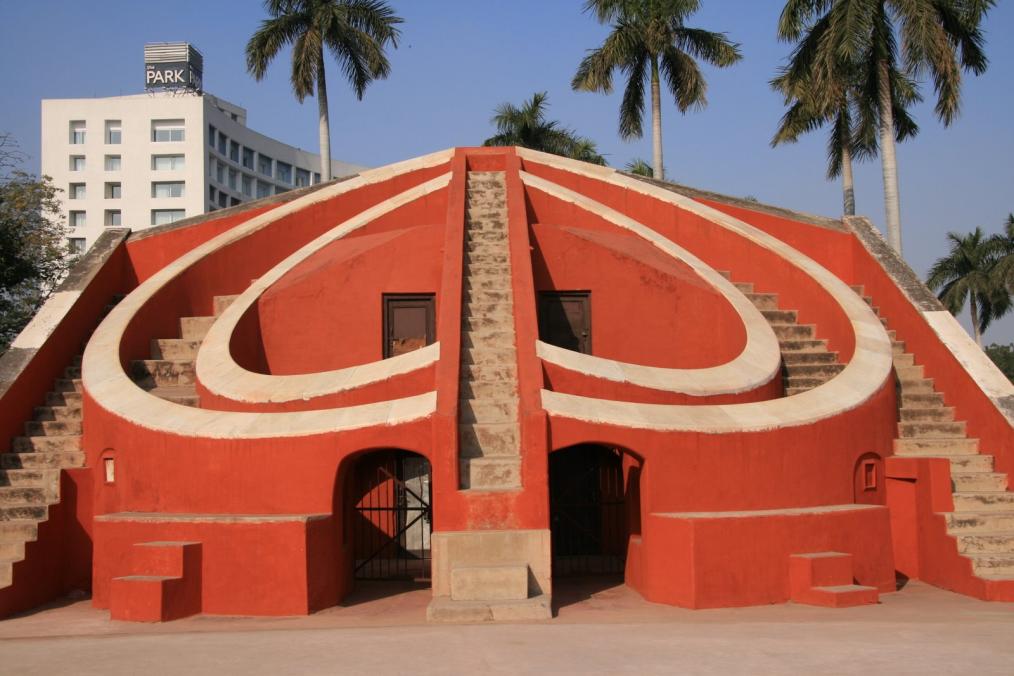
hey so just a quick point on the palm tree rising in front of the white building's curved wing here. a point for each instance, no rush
(355, 32)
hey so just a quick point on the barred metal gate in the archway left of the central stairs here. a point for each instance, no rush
(393, 518)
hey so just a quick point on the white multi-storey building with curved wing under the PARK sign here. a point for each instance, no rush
(155, 159)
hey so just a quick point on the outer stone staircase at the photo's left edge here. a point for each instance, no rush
(30, 474)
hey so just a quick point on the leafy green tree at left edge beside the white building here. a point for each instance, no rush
(34, 255)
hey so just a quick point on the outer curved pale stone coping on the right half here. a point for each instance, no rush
(865, 374)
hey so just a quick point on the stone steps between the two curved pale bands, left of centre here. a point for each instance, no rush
(170, 374)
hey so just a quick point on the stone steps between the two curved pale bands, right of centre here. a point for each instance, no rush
(807, 362)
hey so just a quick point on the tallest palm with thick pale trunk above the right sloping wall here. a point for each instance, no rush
(940, 38)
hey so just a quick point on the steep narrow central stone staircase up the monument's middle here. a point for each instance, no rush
(488, 424)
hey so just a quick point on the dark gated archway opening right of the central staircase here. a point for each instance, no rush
(588, 509)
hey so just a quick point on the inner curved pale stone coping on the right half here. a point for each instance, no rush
(757, 365)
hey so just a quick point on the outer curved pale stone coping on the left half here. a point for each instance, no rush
(107, 382)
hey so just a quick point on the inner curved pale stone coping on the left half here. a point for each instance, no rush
(219, 371)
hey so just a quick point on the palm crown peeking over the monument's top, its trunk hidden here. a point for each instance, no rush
(528, 127)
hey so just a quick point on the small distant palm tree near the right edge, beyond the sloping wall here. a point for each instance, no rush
(967, 273)
